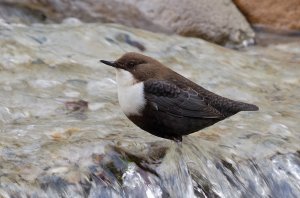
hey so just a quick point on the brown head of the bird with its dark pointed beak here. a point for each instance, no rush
(140, 66)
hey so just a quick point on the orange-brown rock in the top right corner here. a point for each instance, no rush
(282, 15)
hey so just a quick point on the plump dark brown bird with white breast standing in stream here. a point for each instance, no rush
(164, 103)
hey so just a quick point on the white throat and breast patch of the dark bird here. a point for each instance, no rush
(130, 93)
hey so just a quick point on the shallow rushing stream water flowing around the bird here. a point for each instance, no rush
(62, 133)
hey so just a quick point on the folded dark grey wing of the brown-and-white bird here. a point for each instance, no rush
(167, 97)
